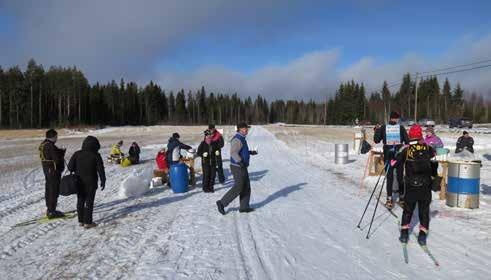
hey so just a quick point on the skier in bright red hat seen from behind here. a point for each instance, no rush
(419, 172)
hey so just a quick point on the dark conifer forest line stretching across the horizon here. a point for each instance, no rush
(62, 96)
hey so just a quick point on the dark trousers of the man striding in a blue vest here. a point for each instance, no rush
(241, 188)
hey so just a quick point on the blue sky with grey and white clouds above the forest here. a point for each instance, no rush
(187, 43)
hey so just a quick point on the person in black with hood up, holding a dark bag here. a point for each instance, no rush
(87, 164)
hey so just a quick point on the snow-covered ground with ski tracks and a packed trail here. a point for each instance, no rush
(304, 226)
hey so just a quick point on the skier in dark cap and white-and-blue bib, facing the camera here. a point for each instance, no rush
(393, 135)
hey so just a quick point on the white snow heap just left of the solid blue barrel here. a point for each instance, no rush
(136, 184)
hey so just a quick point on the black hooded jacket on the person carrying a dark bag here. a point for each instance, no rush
(87, 163)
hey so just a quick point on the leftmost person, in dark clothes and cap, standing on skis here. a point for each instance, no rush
(53, 162)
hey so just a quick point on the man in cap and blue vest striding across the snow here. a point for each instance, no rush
(239, 162)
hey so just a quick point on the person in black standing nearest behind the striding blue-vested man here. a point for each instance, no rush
(207, 151)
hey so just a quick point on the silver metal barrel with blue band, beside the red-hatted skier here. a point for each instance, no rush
(463, 184)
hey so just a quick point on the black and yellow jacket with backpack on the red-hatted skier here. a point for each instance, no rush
(419, 170)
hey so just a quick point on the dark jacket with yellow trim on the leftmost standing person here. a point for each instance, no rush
(52, 158)
